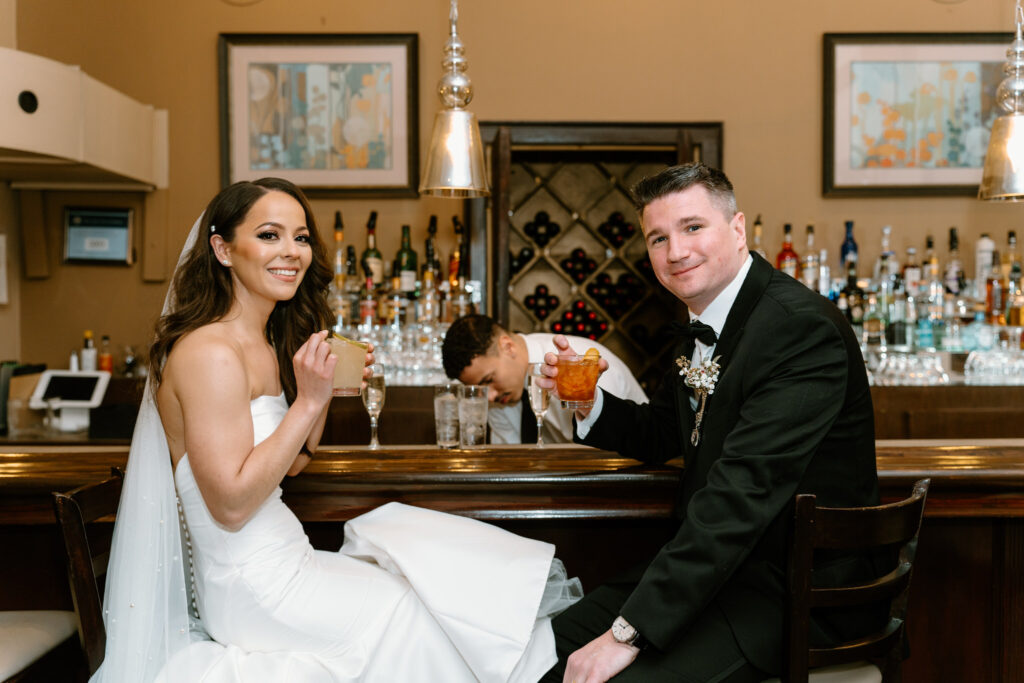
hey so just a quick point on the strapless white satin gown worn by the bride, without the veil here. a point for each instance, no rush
(413, 595)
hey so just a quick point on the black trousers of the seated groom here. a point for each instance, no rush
(708, 654)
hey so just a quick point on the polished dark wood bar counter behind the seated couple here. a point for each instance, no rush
(605, 514)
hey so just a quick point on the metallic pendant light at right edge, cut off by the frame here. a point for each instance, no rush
(1003, 179)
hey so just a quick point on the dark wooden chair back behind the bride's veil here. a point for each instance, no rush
(88, 558)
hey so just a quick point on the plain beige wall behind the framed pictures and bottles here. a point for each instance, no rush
(755, 66)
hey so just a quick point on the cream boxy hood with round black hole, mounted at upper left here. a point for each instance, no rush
(63, 130)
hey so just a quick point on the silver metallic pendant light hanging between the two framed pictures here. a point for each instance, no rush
(455, 159)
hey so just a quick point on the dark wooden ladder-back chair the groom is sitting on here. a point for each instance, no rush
(879, 656)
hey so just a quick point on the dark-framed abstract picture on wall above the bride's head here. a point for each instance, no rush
(336, 114)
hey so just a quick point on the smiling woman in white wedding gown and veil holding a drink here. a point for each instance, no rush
(211, 576)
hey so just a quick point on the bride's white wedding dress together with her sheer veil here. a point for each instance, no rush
(413, 595)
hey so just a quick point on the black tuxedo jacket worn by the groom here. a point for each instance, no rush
(791, 414)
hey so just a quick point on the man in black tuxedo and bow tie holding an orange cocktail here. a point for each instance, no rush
(769, 398)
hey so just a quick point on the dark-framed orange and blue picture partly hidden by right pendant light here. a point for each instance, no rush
(909, 114)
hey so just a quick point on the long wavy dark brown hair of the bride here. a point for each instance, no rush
(203, 288)
